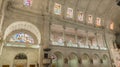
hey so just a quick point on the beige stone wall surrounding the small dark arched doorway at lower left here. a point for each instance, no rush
(9, 53)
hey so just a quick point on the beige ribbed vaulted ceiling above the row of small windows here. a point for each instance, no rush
(108, 10)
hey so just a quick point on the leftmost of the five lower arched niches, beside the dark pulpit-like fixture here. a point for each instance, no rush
(57, 61)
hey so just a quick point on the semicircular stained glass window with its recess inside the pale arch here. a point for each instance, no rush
(22, 36)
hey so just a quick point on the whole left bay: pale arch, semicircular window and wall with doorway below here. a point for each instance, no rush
(21, 37)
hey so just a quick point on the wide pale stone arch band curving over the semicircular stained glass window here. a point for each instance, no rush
(23, 25)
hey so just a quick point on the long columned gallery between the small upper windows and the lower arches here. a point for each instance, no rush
(76, 38)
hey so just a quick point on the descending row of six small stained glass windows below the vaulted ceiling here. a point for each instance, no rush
(80, 16)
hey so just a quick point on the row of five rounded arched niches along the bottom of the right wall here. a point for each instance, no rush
(72, 60)
